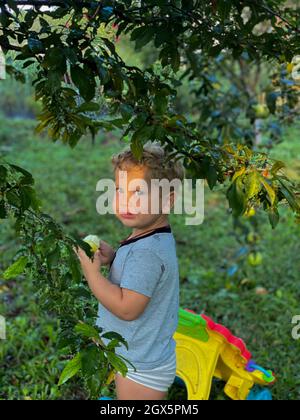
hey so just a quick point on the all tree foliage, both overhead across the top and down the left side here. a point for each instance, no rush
(79, 72)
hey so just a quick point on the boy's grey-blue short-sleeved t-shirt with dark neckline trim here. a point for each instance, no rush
(147, 265)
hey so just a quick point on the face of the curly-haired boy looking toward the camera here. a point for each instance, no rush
(133, 206)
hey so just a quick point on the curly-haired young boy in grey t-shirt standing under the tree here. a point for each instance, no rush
(140, 299)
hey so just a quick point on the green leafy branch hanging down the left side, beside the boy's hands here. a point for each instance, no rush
(48, 259)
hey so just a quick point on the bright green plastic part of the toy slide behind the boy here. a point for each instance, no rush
(192, 325)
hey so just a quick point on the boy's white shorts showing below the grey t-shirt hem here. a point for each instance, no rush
(160, 378)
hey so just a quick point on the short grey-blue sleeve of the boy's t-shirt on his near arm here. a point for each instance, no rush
(142, 271)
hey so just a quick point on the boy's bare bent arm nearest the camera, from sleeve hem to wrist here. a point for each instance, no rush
(125, 304)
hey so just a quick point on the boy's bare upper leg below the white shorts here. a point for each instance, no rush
(129, 390)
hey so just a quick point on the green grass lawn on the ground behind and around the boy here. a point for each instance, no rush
(66, 182)
